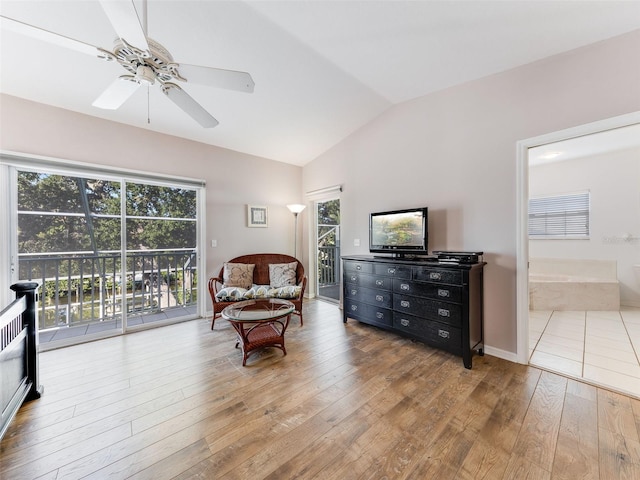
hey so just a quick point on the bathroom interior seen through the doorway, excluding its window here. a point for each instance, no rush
(584, 301)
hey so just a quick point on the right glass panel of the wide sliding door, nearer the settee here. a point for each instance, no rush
(161, 241)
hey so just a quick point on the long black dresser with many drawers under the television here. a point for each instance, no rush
(438, 303)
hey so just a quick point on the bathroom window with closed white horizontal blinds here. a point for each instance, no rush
(559, 216)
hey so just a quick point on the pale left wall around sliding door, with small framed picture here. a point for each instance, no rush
(233, 179)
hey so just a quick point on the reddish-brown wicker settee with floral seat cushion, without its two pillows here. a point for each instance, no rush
(261, 277)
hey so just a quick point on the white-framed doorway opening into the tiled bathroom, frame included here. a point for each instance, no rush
(592, 341)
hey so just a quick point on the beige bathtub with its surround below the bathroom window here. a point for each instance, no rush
(569, 284)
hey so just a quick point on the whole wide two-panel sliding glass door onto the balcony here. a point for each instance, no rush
(110, 253)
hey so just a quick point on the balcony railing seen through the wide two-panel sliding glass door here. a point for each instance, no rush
(81, 288)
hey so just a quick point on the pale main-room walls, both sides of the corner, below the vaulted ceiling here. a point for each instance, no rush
(454, 151)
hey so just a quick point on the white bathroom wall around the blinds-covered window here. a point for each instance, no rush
(613, 180)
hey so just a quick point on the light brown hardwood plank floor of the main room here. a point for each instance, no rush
(346, 402)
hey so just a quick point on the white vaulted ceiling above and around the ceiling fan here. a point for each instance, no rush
(322, 69)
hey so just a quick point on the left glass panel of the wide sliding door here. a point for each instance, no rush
(68, 240)
